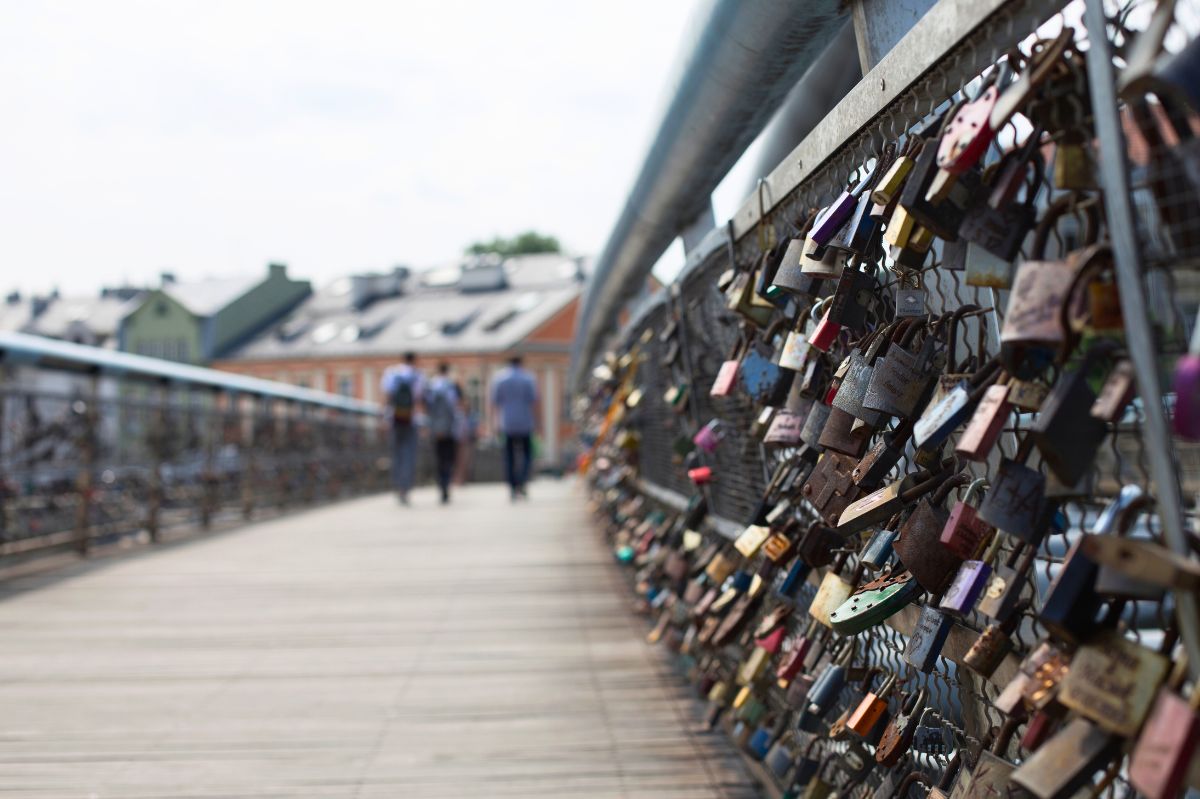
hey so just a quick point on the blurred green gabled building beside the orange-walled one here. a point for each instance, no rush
(197, 322)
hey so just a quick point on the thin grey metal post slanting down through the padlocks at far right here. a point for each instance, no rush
(1114, 175)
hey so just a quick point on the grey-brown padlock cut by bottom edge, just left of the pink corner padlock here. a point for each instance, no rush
(1067, 762)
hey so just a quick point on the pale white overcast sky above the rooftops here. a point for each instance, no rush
(211, 139)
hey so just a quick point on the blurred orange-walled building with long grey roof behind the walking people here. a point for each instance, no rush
(475, 316)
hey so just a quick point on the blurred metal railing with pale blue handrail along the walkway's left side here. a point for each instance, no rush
(100, 447)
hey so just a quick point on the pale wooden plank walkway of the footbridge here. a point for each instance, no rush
(483, 650)
